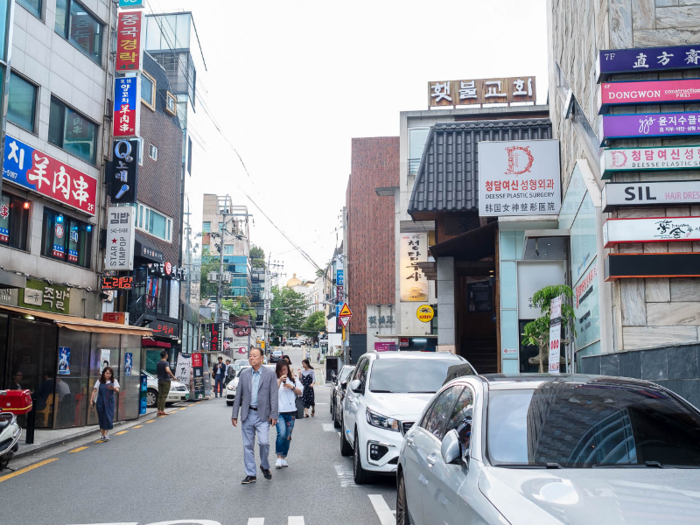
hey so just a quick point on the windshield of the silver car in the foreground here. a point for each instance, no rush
(603, 423)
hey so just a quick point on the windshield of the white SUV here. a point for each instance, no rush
(401, 376)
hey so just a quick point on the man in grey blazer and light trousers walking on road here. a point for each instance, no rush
(256, 396)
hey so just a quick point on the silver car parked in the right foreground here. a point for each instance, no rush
(539, 449)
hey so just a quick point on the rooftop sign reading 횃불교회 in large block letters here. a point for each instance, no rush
(452, 93)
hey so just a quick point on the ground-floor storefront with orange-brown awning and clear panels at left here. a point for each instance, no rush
(60, 357)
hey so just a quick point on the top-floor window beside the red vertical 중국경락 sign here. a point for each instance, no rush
(80, 28)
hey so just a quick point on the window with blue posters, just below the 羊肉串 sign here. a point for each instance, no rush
(66, 239)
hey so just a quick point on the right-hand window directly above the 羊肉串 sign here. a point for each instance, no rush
(72, 132)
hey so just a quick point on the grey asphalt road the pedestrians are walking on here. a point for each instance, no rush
(187, 468)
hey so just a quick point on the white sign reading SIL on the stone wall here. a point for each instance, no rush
(623, 194)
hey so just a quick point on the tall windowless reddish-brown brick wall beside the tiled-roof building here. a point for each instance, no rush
(370, 250)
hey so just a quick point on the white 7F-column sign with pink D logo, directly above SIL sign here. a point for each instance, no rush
(637, 159)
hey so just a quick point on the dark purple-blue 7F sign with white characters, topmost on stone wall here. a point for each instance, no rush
(648, 59)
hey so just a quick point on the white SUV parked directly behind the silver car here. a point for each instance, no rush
(385, 395)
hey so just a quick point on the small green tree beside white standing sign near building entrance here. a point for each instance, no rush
(537, 332)
